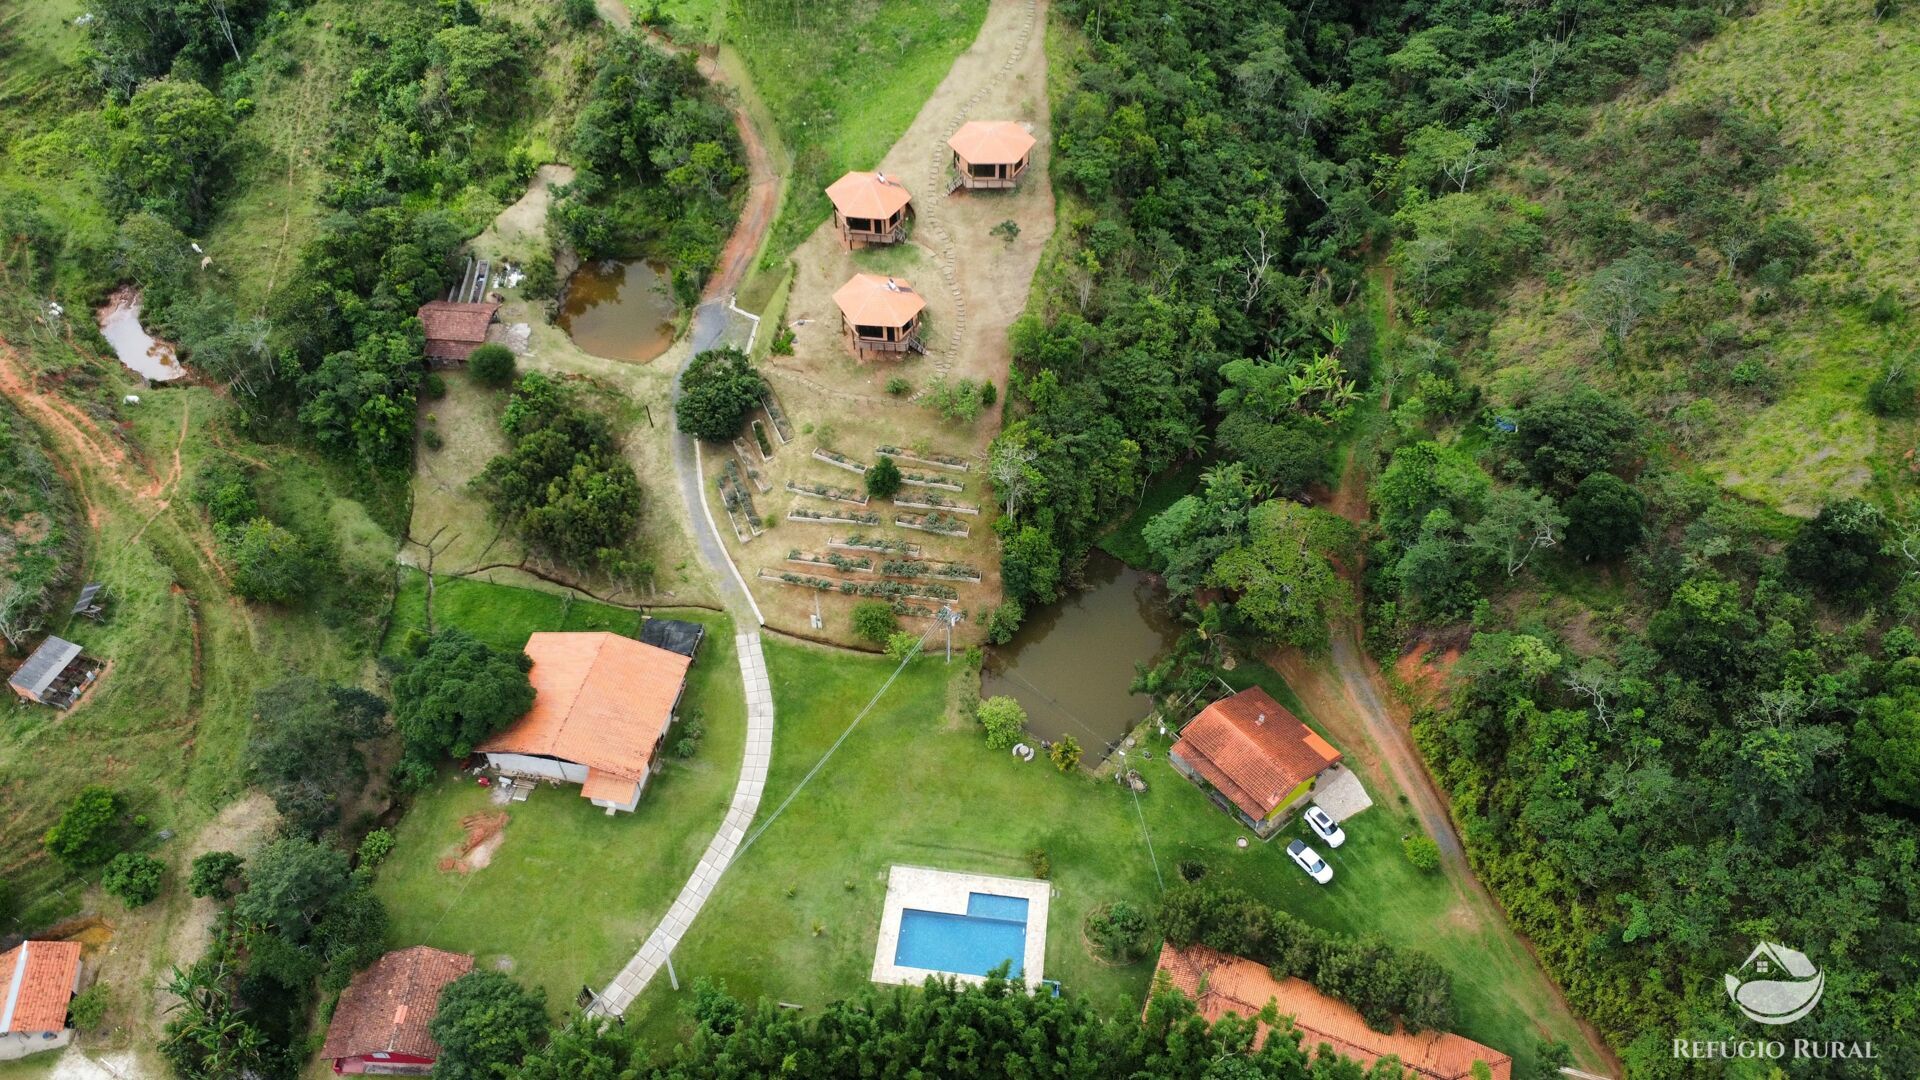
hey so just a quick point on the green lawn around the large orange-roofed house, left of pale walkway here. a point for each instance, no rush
(571, 893)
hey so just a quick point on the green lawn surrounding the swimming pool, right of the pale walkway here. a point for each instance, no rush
(798, 916)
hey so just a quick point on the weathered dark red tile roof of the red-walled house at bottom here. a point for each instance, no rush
(389, 1006)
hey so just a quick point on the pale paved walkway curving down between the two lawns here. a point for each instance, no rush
(665, 939)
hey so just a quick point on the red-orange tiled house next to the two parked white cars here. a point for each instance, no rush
(1255, 758)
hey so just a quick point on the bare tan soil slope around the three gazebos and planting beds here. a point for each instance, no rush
(974, 285)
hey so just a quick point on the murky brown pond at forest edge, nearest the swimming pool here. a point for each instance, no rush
(1070, 664)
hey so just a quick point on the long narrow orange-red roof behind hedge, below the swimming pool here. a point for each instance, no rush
(1222, 985)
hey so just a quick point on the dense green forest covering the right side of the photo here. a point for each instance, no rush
(1721, 750)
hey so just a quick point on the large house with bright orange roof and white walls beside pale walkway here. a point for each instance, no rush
(602, 708)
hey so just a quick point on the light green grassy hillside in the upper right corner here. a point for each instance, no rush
(1762, 383)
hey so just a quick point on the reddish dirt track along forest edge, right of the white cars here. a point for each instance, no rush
(1349, 693)
